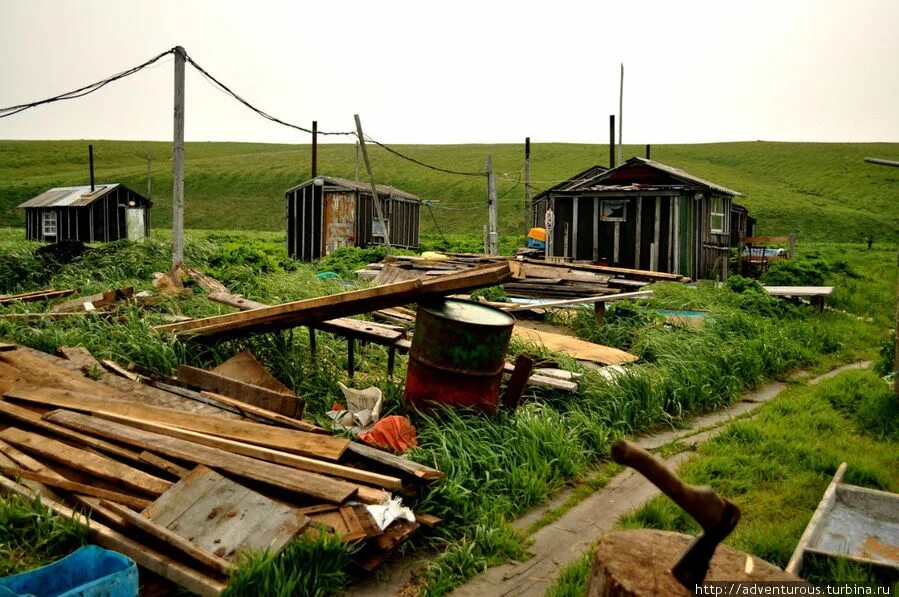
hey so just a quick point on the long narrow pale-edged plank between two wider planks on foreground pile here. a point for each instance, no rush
(266, 454)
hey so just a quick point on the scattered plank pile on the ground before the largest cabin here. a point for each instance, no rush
(530, 277)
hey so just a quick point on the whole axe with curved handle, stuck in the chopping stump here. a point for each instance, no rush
(717, 516)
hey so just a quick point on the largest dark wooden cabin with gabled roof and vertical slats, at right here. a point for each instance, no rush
(642, 215)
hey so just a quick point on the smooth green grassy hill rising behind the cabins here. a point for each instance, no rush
(820, 191)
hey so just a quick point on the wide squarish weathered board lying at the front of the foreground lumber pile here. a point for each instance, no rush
(222, 517)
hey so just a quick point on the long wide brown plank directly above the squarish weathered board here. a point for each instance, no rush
(313, 485)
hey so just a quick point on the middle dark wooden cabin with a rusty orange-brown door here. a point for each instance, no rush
(326, 213)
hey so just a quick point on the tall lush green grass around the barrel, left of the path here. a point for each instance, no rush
(496, 467)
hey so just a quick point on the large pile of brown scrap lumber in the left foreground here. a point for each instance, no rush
(181, 477)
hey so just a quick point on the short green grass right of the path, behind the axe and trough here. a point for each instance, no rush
(776, 466)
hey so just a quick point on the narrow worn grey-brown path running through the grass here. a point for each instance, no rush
(561, 542)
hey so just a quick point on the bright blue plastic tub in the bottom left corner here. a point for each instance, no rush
(90, 571)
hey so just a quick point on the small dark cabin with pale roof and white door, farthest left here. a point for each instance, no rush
(106, 213)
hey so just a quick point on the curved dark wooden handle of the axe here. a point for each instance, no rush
(702, 503)
